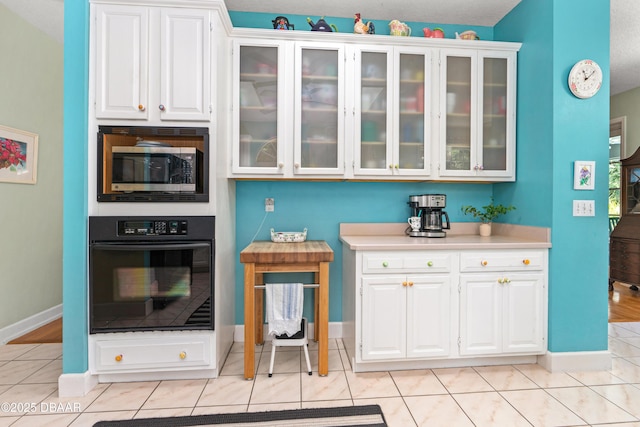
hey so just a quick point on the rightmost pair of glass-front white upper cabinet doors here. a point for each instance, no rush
(477, 114)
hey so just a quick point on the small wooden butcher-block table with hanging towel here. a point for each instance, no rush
(268, 257)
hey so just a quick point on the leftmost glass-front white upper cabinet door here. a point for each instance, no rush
(256, 108)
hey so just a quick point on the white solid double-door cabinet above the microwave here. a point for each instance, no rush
(152, 63)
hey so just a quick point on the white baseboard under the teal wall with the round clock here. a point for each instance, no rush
(576, 361)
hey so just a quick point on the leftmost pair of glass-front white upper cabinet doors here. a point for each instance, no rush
(288, 109)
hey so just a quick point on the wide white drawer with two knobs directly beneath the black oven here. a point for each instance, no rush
(154, 354)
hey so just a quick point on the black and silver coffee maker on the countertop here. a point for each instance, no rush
(429, 208)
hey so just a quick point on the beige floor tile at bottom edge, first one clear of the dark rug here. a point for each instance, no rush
(437, 411)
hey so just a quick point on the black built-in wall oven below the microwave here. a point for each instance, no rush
(151, 273)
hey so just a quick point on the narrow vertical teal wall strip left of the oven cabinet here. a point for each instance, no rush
(74, 258)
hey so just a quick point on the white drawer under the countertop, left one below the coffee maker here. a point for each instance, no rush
(406, 262)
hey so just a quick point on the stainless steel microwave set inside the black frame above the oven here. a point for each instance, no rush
(149, 168)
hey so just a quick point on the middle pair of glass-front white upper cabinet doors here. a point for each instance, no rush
(392, 111)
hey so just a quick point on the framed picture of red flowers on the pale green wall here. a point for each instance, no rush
(18, 156)
